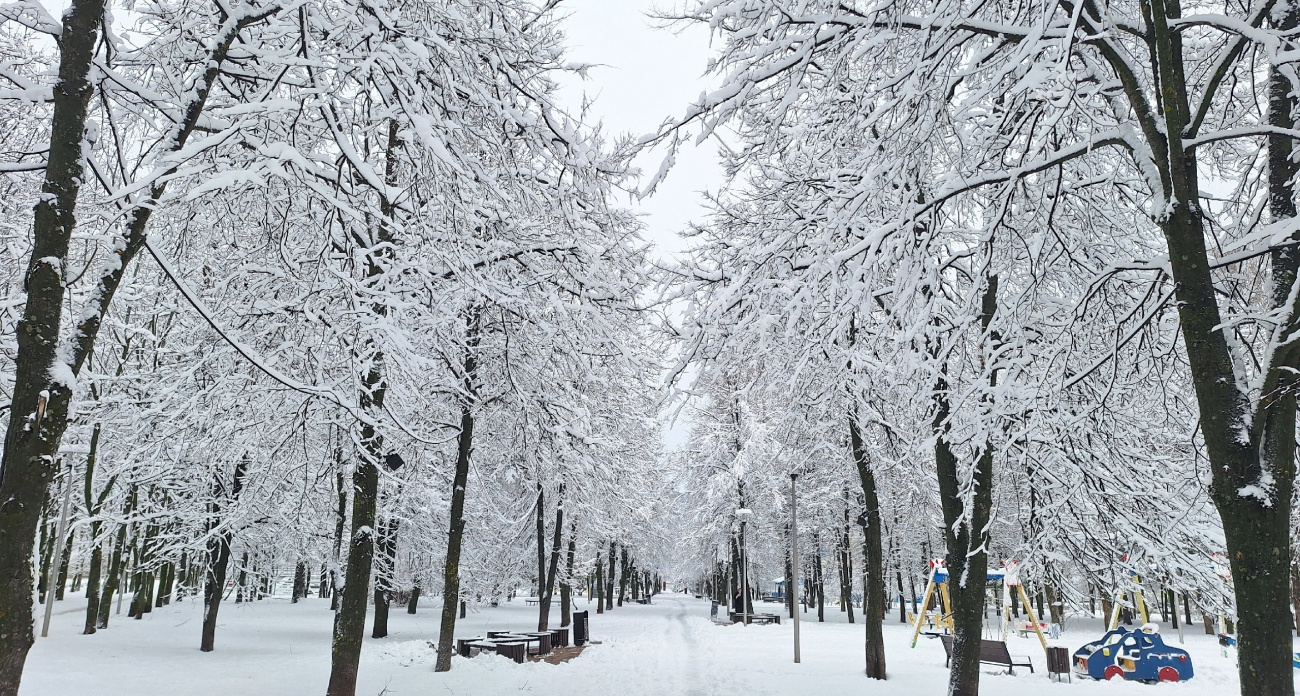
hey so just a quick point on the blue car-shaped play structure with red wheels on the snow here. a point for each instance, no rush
(1139, 655)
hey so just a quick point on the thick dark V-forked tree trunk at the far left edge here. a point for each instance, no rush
(42, 395)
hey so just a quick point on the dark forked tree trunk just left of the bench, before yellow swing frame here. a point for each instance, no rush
(965, 530)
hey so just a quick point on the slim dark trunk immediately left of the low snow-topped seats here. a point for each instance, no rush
(457, 526)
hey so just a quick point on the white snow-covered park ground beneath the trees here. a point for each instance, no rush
(670, 649)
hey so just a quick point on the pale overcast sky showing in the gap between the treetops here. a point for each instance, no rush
(644, 76)
